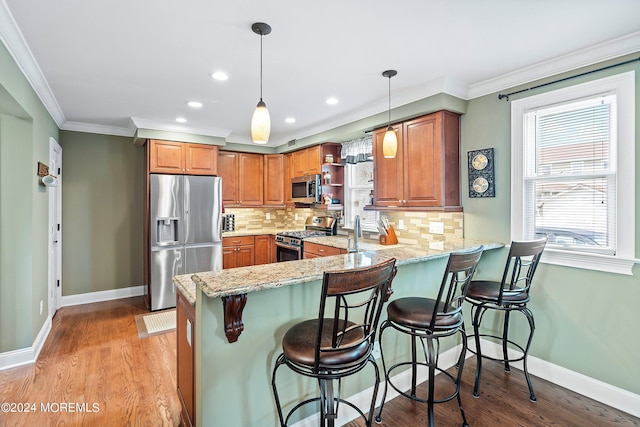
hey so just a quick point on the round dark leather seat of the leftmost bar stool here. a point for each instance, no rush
(298, 345)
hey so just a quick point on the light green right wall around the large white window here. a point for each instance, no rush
(585, 320)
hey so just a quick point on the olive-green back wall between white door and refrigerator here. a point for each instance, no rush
(102, 212)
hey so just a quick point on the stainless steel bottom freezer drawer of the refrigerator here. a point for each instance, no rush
(165, 264)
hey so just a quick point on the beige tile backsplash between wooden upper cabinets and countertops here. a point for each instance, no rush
(415, 228)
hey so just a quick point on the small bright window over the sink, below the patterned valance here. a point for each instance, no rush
(358, 192)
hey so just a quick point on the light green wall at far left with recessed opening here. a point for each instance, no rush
(26, 127)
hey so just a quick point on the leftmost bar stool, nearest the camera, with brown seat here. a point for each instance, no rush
(340, 341)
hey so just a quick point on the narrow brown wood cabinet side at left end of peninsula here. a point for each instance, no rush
(185, 341)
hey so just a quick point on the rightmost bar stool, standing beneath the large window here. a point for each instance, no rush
(510, 294)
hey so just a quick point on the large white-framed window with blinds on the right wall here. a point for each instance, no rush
(573, 173)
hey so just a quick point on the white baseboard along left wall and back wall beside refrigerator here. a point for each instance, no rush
(25, 356)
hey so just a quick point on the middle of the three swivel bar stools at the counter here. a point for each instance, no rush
(430, 319)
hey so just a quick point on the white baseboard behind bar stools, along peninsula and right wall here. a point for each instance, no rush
(602, 392)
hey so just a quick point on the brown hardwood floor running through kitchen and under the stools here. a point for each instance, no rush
(93, 356)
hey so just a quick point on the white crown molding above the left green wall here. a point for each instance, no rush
(15, 43)
